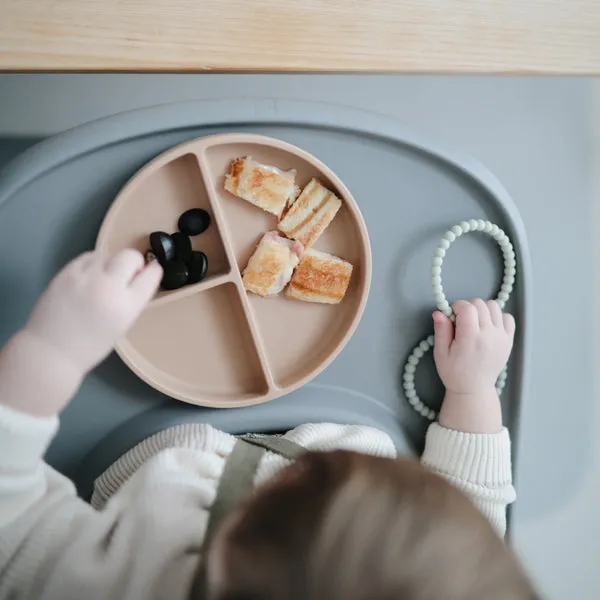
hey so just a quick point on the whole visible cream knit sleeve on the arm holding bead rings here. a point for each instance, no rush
(477, 464)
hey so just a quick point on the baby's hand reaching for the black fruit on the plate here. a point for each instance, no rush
(91, 303)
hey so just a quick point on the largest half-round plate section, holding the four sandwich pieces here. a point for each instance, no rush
(297, 338)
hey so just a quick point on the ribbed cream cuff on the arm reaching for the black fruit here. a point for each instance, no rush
(23, 438)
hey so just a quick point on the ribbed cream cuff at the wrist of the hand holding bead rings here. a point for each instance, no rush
(482, 459)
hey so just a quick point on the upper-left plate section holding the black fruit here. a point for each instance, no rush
(154, 201)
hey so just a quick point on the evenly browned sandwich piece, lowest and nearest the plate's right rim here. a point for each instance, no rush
(320, 277)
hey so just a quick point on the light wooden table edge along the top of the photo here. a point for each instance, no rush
(463, 36)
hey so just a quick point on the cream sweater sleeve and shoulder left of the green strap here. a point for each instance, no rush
(55, 545)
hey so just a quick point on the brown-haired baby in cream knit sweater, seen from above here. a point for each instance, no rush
(345, 520)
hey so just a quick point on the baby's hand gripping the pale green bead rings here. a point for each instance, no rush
(470, 356)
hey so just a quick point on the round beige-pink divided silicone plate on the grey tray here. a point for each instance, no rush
(212, 343)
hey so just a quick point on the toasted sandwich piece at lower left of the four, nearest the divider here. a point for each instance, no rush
(271, 266)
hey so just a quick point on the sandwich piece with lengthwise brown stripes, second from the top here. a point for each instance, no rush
(310, 214)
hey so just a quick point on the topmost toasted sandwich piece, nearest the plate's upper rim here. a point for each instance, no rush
(264, 186)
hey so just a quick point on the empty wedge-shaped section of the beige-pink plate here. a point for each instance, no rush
(199, 349)
